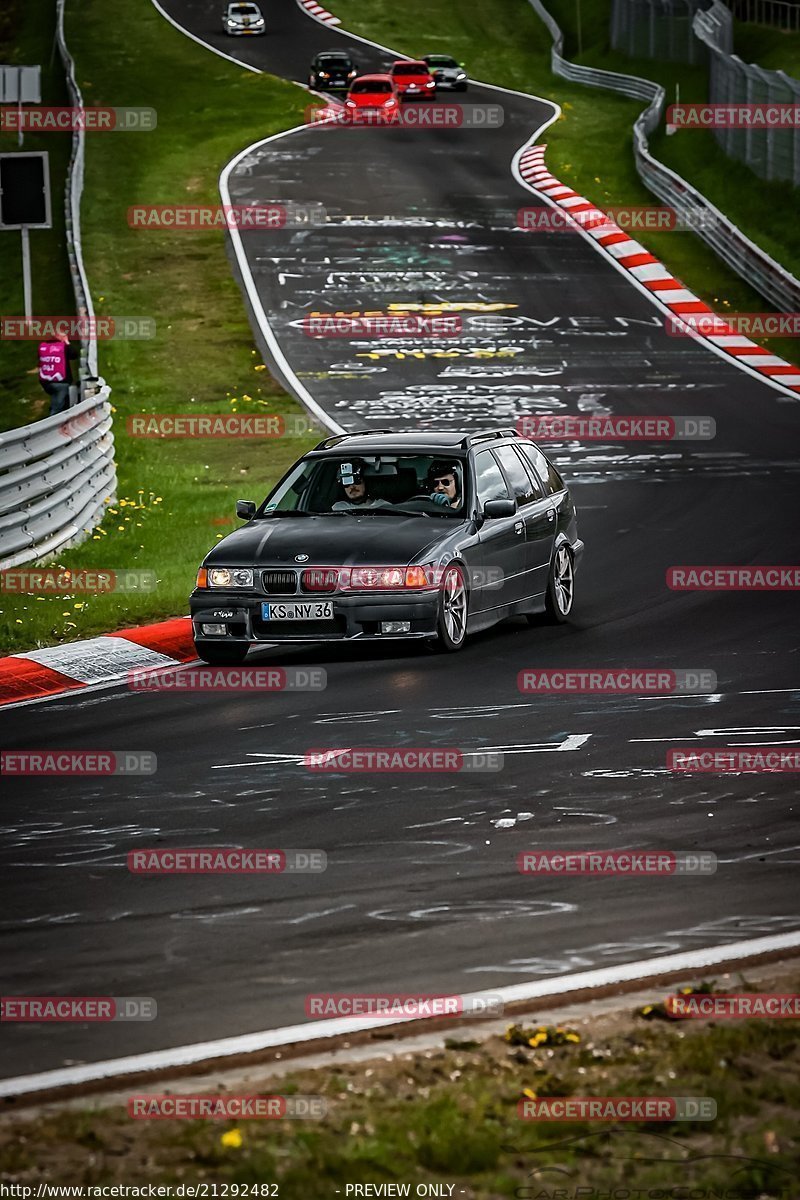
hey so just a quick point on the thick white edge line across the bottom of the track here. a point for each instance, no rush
(311, 1031)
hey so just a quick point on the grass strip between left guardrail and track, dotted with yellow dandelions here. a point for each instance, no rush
(172, 494)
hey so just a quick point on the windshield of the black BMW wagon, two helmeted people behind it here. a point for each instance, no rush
(374, 484)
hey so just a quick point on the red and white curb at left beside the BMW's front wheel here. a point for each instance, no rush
(56, 670)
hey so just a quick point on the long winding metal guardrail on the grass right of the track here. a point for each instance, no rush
(748, 260)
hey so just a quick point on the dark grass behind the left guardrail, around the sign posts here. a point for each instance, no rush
(27, 33)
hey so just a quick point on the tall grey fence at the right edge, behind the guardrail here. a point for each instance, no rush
(772, 152)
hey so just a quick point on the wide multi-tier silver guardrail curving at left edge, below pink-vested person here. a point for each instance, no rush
(57, 477)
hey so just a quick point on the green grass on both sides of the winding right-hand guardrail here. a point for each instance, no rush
(591, 147)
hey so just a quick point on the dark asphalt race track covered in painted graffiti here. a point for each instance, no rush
(422, 890)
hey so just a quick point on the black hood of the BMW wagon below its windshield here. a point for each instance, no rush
(332, 542)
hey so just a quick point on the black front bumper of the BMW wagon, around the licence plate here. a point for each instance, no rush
(357, 617)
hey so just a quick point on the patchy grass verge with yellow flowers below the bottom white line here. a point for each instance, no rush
(449, 1117)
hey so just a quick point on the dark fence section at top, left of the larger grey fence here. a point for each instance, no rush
(657, 29)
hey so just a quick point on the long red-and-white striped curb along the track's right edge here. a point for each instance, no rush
(652, 275)
